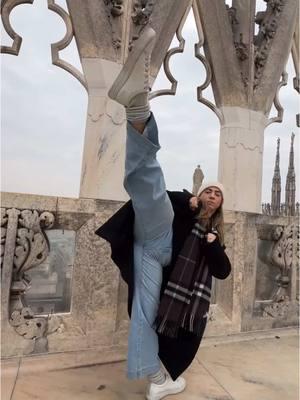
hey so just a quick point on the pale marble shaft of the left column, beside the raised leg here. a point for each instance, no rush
(104, 146)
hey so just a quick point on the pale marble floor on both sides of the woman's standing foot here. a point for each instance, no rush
(254, 369)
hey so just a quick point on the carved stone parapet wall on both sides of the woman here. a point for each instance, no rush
(47, 240)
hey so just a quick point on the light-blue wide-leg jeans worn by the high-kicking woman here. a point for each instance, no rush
(144, 182)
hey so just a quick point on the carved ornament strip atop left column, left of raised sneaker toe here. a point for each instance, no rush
(114, 10)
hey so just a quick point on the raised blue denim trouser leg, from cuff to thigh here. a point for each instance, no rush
(145, 184)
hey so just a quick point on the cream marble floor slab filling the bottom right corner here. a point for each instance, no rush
(256, 370)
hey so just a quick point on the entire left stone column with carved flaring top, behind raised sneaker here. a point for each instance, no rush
(105, 31)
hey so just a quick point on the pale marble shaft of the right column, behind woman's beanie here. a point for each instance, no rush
(241, 158)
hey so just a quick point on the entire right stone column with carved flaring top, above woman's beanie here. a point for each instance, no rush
(245, 73)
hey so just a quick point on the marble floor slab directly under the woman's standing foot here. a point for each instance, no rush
(108, 382)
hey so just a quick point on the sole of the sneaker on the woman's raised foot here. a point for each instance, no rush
(130, 64)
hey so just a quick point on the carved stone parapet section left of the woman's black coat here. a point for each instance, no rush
(32, 252)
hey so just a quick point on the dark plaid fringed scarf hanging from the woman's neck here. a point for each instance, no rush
(186, 298)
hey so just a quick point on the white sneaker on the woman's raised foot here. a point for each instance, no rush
(133, 78)
